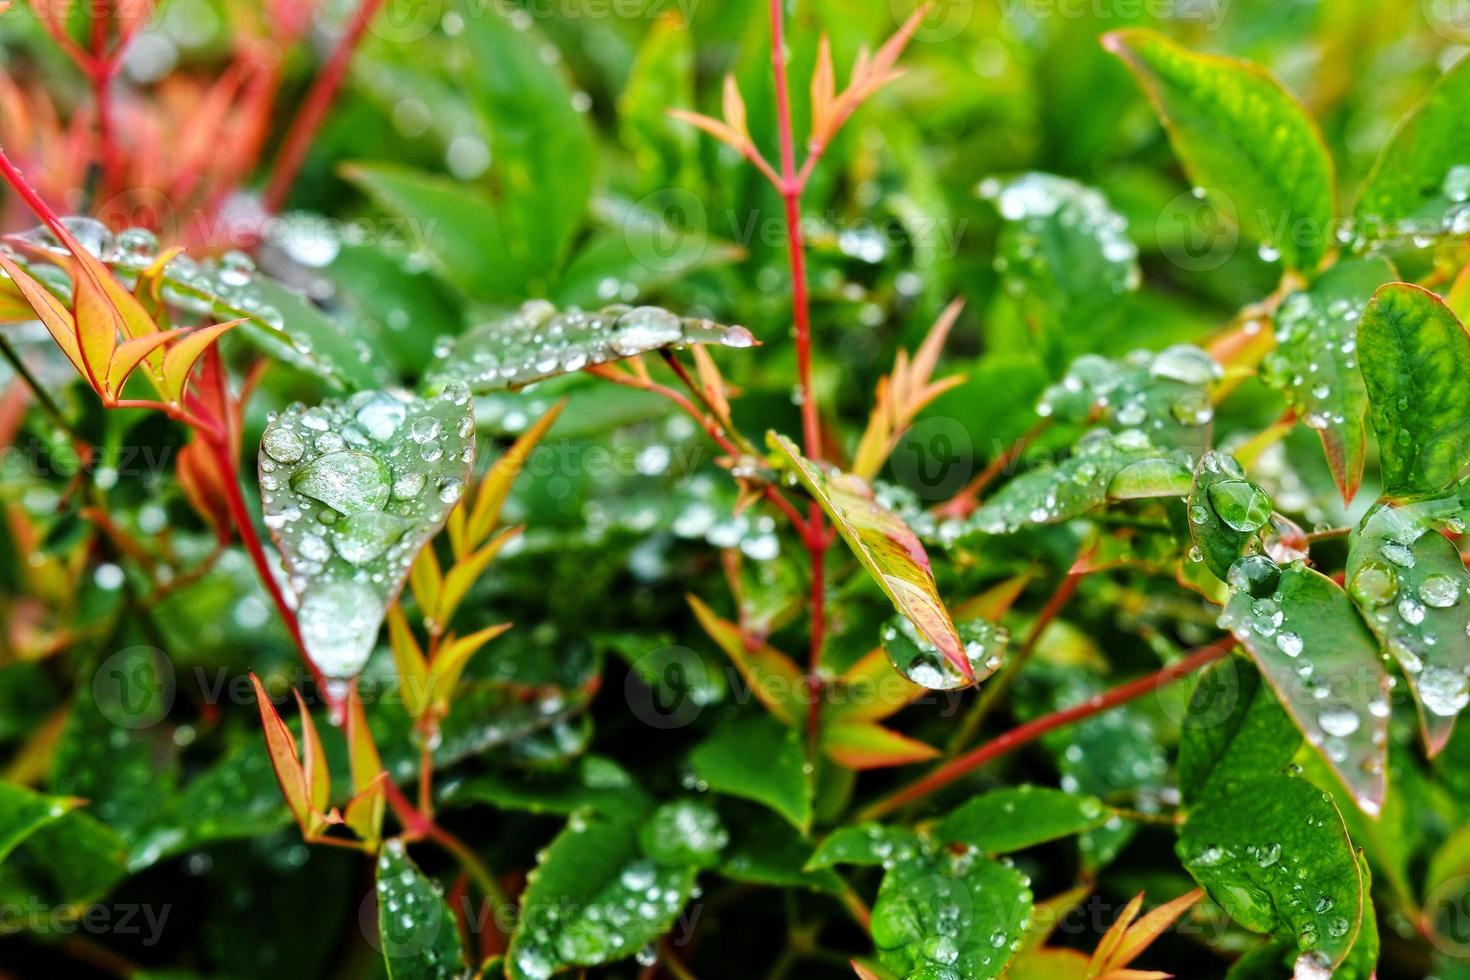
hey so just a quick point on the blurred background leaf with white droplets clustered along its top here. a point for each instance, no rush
(1064, 256)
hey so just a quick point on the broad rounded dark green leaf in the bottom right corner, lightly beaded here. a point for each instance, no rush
(1272, 851)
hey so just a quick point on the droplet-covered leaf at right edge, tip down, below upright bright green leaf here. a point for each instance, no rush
(1413, 590)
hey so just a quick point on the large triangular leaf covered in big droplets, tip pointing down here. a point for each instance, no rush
(352, 491)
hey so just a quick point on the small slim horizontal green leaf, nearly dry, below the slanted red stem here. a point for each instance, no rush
(1021, 818)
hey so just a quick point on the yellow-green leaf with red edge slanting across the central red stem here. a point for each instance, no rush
(886, 546)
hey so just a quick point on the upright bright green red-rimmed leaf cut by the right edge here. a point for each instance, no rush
(1415, 358)
